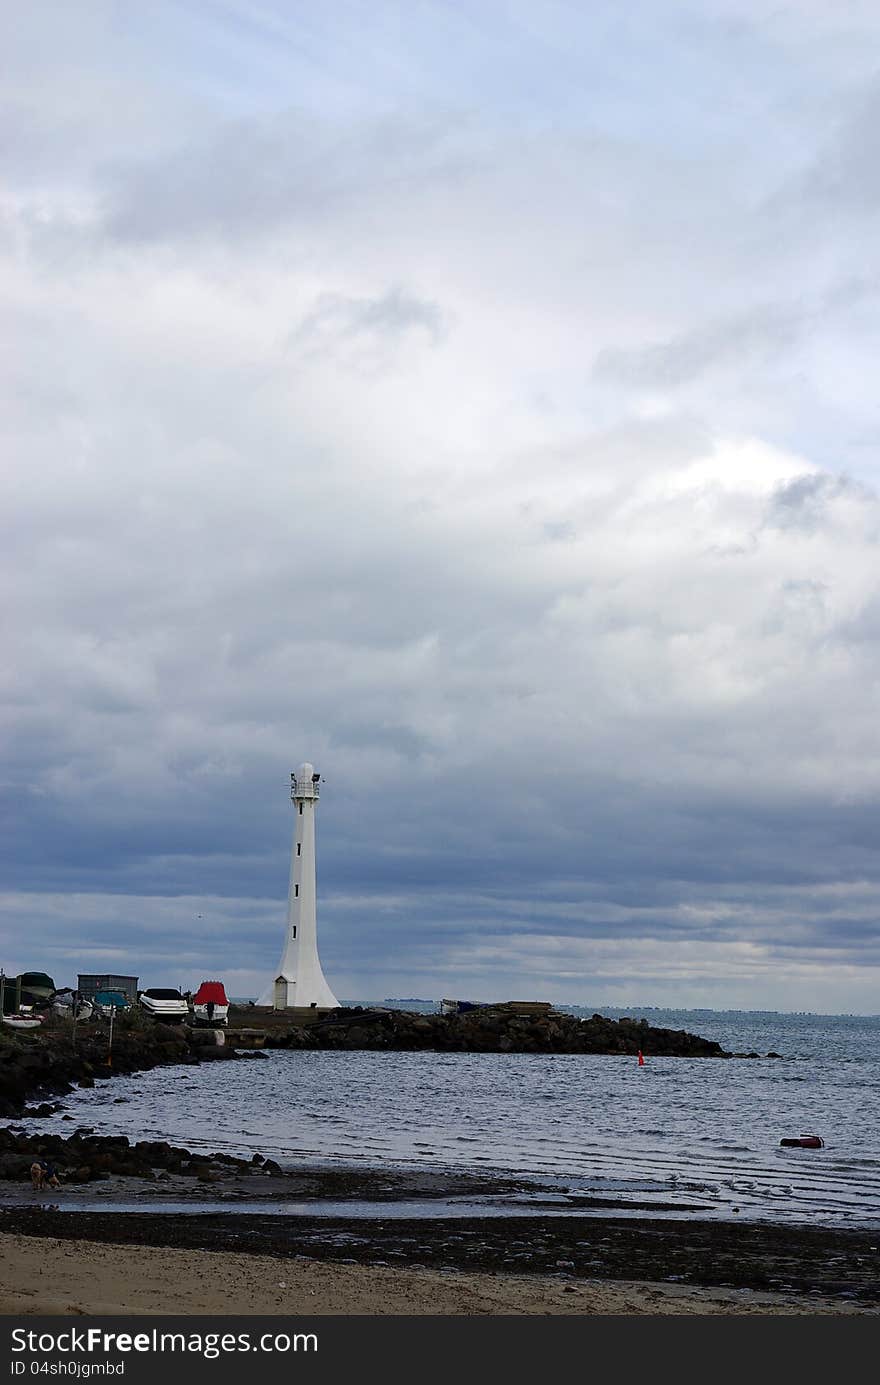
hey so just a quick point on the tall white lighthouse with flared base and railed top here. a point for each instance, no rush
(300, 981)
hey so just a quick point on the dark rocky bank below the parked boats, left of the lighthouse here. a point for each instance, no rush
(52, 1062)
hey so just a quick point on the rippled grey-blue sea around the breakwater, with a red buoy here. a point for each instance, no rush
(689, 1136)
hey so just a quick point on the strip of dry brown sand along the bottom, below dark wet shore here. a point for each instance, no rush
(49, 1276)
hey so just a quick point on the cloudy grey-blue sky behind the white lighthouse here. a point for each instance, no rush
(479, 401)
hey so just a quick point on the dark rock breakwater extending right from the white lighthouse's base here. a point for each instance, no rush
(493, 1030)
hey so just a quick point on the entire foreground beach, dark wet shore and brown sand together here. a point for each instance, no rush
(583, 1260)
